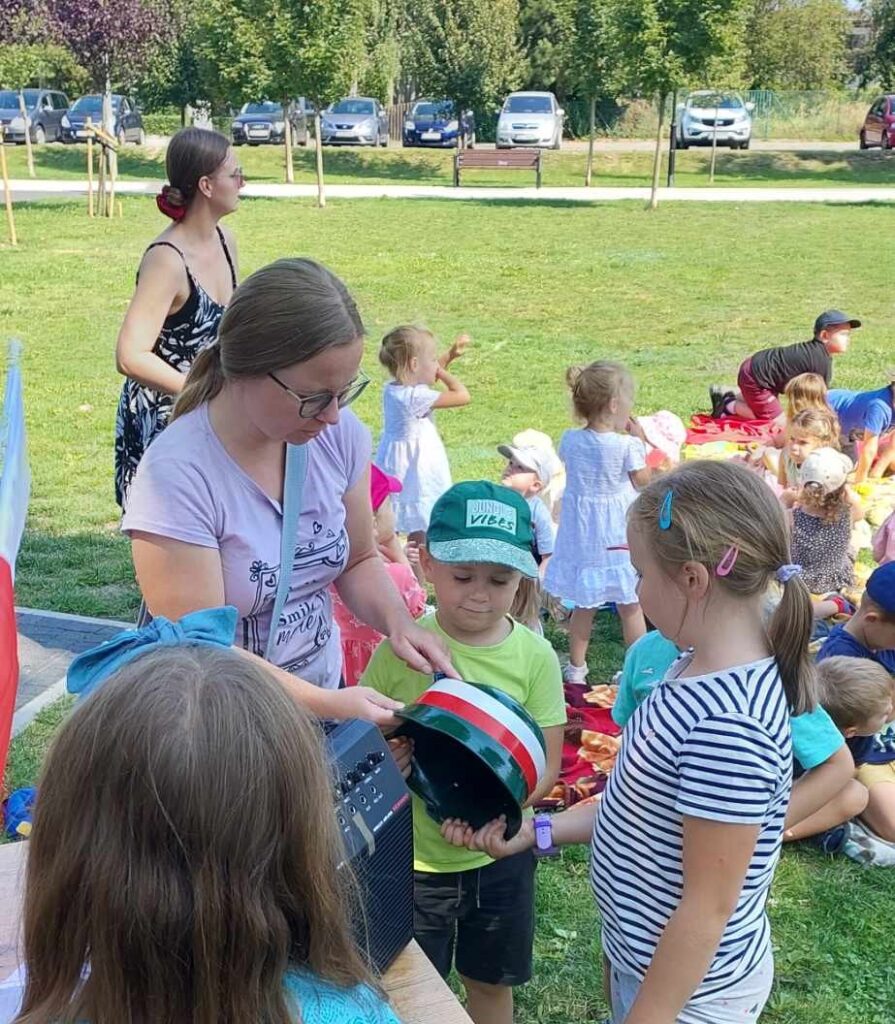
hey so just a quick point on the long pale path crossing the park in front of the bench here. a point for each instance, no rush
(576, 194)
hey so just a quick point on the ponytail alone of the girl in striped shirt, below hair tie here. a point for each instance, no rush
(789, 634)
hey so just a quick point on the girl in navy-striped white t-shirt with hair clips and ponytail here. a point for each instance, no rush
(690, 829)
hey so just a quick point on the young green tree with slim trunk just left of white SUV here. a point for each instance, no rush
(662, 47)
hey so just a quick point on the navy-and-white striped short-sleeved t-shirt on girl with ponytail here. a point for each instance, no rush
(709, 747)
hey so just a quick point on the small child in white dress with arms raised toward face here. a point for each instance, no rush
(411, 448)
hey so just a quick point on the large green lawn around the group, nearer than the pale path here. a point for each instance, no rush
(680, 295)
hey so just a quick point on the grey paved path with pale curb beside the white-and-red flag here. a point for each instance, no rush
(48, 644)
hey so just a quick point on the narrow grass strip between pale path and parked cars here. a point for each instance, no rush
(358, 166)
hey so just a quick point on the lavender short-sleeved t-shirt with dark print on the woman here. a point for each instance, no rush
(189, 489)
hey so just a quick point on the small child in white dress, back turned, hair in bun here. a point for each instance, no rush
(604, 465)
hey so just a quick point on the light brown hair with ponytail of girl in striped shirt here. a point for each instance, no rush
(719, 505)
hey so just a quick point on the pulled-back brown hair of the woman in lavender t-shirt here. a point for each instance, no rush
(284, 314)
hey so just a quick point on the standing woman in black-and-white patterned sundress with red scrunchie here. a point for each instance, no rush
(185, 283)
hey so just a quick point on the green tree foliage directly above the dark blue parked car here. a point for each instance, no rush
(465, 51)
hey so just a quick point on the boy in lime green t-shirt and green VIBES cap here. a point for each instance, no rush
(479, 547)
